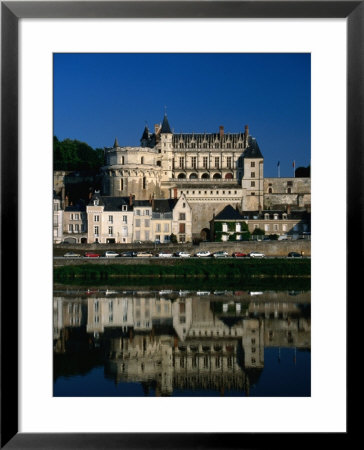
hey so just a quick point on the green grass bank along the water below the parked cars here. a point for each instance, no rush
(189, 269)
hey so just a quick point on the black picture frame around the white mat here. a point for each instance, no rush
(11, 12)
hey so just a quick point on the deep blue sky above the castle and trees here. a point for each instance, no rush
(98, 97)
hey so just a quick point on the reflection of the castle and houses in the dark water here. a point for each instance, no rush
(179, 340)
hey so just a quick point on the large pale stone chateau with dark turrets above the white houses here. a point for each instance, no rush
(212, 170)
